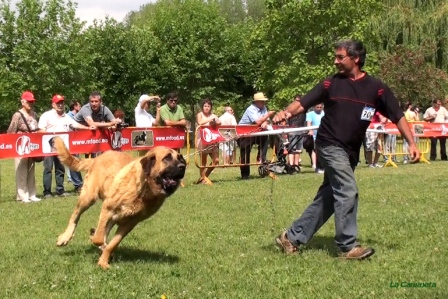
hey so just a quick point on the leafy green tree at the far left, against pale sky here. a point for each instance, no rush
(41, 51)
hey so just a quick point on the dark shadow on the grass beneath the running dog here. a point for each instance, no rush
(130, 255)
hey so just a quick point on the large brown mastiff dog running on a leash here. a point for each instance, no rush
(131, 189)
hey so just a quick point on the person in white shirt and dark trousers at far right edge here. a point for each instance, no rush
(437, 114)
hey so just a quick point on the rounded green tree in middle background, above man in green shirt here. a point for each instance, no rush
(200, 53)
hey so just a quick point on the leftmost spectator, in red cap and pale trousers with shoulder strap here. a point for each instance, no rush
(24, 167)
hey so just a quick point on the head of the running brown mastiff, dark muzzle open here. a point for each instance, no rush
(163, 168)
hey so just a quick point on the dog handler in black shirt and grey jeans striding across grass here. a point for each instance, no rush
(351, 98)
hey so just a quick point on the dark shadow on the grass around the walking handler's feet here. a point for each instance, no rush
(326, 243)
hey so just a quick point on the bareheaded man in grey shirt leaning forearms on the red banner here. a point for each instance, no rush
(95, 114)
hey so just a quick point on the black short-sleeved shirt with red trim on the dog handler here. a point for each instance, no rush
(344, 101)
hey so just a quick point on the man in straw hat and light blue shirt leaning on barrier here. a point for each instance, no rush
(255, 114)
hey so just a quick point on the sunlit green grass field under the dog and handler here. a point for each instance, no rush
(217, 241)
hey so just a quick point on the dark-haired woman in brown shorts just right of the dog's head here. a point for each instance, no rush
(205, 118)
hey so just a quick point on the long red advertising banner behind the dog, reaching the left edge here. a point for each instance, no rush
(41, 144)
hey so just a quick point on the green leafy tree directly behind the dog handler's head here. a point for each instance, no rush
(296, 41)
